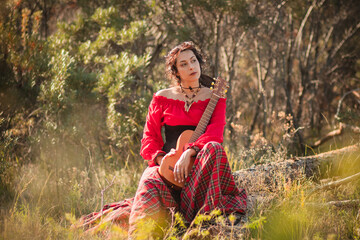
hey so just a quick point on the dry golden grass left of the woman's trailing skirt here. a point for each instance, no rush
(46, 199)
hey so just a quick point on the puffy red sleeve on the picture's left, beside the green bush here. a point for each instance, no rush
(152, 141)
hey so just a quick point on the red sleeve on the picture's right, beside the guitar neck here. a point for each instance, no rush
(215, 129)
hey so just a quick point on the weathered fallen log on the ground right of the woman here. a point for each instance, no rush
(259, 181)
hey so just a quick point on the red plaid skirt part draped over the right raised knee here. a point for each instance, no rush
(211, 185)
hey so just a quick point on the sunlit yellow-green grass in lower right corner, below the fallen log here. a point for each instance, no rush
(297, 213)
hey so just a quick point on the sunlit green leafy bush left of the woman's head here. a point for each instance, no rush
(97, 74)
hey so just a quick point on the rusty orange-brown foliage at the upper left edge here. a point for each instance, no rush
(23, 53)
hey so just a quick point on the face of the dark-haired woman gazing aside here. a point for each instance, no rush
(188, 67)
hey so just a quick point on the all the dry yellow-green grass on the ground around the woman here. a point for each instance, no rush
(43, 198)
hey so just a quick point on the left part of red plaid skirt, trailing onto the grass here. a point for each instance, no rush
(152, 198)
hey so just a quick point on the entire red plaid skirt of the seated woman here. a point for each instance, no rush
(209, 186)
